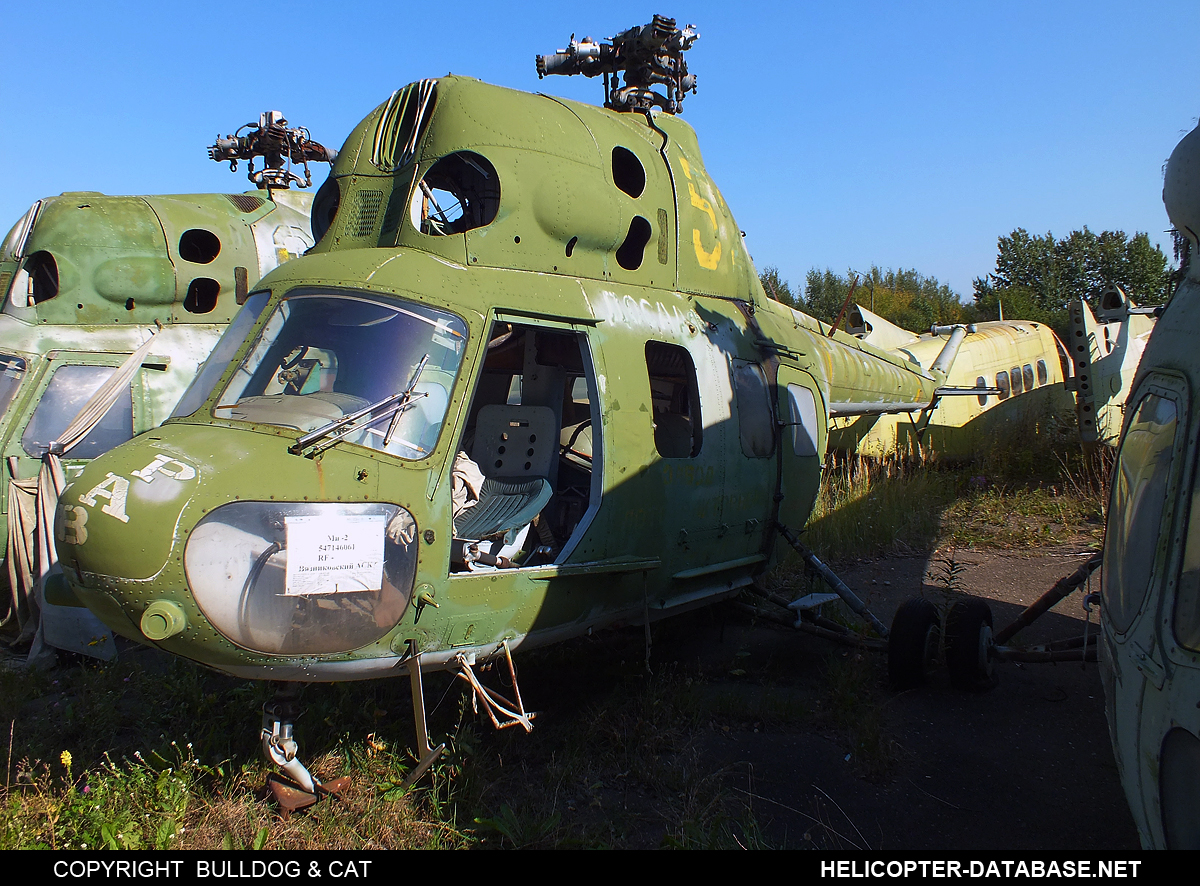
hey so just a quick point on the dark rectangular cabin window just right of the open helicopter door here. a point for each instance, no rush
(675, 393)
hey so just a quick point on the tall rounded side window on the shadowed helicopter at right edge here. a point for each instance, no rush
(1136, 508)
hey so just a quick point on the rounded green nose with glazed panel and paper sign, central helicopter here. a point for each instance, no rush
(184, 541)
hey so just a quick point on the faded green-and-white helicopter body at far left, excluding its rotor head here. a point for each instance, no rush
(87, 279)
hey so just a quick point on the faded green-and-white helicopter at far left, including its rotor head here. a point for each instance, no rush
(110, 307)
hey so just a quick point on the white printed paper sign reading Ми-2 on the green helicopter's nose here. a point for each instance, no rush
(334, 555)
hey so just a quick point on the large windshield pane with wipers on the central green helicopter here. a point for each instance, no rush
(328, 355)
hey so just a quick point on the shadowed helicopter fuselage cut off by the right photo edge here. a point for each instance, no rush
(1151, 588)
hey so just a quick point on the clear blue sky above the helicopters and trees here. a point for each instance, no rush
(842, 135)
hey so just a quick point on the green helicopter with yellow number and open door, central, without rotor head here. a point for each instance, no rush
(526, 385)
